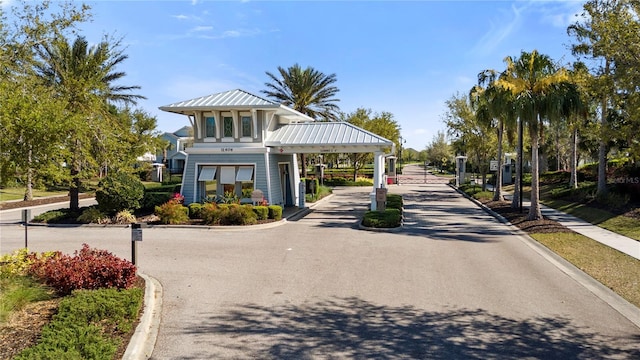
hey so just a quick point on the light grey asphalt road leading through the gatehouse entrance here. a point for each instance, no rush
(455, 283)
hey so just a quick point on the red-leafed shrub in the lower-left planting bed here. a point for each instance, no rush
(86, 269)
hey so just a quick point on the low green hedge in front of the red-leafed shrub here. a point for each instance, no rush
(90, 324)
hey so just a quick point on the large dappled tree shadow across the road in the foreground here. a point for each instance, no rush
(355, 328)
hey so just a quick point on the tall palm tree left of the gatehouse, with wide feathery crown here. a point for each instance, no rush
(85, 77)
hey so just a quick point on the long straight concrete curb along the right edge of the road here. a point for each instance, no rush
(622, 306)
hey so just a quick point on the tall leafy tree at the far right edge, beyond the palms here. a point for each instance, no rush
(608, 35)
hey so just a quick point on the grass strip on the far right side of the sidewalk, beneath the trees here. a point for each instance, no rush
(620, 224)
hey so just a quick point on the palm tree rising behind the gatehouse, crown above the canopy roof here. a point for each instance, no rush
(308, 91)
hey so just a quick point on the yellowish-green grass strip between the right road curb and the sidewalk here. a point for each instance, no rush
(617, 271)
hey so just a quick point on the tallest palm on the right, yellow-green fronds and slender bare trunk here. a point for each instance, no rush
(531, 78)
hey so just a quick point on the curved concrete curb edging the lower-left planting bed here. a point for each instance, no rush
(144, 338)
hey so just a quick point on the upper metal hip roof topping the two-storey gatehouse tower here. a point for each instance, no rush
(233, 100)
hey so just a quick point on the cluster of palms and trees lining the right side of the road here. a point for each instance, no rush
(535, 96)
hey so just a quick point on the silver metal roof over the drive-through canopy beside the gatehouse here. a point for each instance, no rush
(324, 133)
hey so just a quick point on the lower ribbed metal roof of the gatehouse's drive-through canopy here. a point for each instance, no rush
(308, 137)
